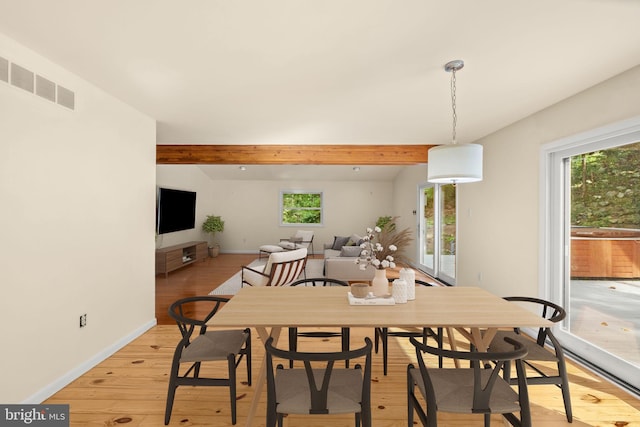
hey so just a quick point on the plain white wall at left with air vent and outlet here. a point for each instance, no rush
(77, 192)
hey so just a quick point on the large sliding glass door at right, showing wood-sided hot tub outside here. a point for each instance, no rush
(594, 247)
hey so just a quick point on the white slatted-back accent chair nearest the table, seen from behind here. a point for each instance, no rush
(281, 269)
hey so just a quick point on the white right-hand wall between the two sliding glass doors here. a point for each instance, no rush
(499, 217)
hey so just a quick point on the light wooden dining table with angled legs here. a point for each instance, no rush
(474, 312)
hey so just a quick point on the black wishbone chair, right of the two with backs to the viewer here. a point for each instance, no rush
(476, 390)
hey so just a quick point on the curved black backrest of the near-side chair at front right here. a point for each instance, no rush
(483, 383)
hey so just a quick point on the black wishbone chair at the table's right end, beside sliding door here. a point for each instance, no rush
(537, 352)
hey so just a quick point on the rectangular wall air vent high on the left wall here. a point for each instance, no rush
(24, 79)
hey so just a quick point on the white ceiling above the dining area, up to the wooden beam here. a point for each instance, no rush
(331, 71)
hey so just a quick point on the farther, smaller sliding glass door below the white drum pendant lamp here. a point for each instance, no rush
(438, 231)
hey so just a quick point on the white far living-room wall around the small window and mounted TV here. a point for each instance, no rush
(250, 208)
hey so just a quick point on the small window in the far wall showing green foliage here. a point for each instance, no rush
(300, 208)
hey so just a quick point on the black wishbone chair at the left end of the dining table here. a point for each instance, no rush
(198, 346)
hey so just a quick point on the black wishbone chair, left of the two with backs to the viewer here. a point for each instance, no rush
(319, 387)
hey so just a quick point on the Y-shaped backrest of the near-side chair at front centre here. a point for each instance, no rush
(319, 368)
